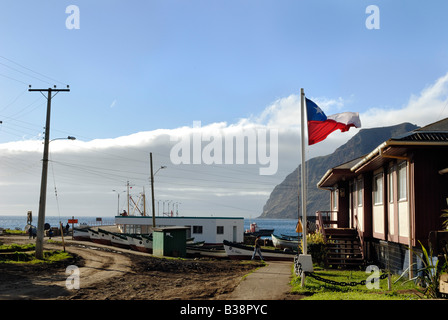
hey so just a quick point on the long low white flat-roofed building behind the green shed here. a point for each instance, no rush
(212, 230)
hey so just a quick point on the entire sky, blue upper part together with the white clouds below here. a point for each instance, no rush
(142, 70)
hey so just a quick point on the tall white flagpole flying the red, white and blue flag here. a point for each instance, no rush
(303, 181)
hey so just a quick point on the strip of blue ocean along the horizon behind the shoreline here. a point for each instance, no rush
(280, 226)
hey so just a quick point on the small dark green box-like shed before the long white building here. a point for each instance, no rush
(170, 241)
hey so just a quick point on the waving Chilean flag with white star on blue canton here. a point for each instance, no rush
(320, 126)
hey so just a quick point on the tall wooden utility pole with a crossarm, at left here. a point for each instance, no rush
(43, 185)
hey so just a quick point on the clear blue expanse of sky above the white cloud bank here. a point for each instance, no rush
(142, 65)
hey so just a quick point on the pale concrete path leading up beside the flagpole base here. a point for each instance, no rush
(270, 282)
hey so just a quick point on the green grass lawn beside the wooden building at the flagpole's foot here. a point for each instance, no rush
(318, 290)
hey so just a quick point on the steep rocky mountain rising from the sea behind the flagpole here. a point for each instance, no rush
(283, 203)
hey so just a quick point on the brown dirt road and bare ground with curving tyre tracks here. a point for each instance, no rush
(116, 274)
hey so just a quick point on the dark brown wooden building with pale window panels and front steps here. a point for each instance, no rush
(394, 196)
